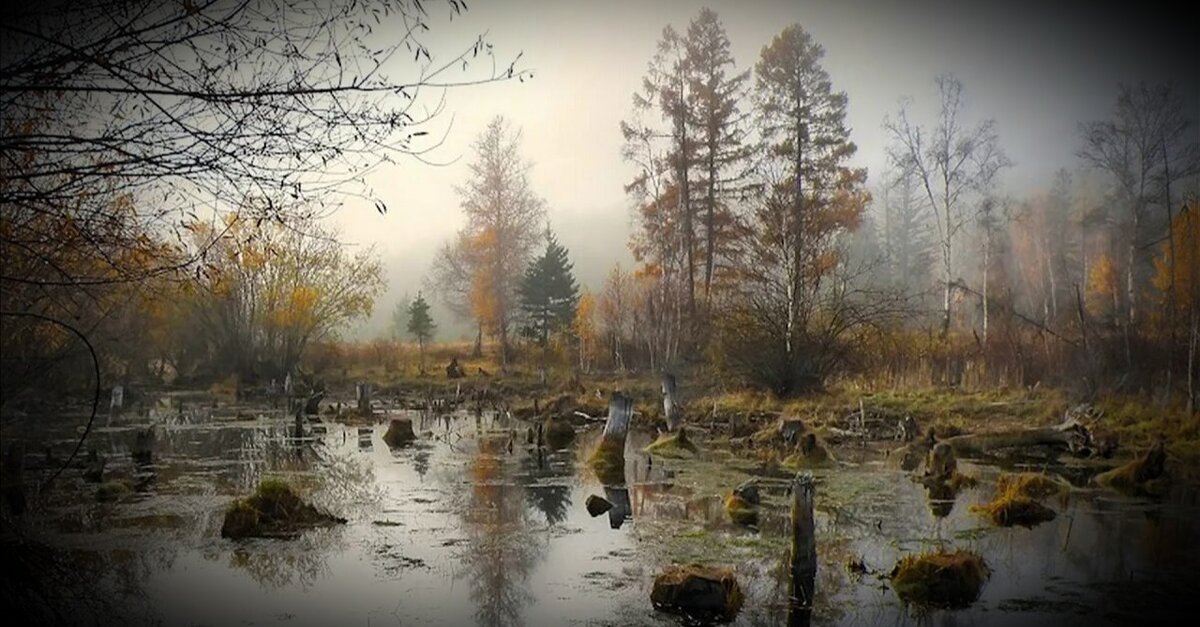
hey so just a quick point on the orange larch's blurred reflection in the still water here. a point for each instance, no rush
(500, 553)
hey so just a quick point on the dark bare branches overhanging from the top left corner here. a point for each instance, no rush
(151, 114)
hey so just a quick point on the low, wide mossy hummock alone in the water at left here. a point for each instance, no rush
(273, 511)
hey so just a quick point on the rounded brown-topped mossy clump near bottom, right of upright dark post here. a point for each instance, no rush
(940, 580)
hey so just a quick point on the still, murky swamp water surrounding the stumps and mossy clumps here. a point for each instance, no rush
(460, 530)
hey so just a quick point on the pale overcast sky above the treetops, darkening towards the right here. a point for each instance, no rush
(1037, 68)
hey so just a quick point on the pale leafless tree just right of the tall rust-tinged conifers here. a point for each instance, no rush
(955, 164)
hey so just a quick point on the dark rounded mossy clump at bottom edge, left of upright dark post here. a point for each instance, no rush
(703, 594)
